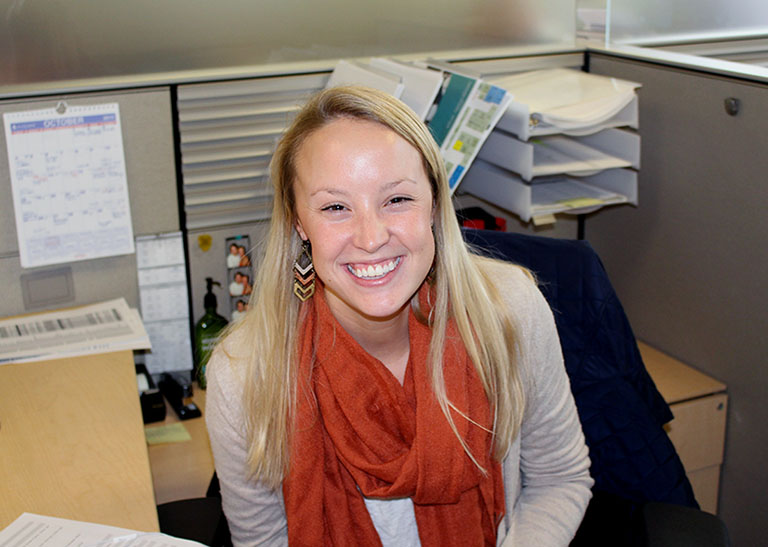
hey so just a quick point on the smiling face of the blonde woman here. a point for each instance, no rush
(364, 201)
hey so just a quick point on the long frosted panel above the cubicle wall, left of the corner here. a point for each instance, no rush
(53, 40)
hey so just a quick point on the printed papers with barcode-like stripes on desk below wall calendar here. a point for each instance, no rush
(97, 328)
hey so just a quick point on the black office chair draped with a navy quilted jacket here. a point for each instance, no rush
(641, 495)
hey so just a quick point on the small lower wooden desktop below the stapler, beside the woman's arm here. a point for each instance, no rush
(182, 470)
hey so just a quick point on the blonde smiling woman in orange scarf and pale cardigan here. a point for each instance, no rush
(402, 398)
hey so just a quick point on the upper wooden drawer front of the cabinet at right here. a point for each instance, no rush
(698, 431)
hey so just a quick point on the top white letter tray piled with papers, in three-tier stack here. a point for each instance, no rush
(567, 101)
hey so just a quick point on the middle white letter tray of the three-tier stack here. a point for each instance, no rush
(555, 154)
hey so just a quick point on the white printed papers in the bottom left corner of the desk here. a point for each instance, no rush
(31, 530)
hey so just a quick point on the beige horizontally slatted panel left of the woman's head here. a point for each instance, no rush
(228, 131)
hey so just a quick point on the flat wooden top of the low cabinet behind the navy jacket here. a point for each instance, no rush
(677, 381)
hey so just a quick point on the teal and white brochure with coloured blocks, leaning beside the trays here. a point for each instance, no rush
(464, 114)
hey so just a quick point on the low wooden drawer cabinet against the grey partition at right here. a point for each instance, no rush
(699, 404)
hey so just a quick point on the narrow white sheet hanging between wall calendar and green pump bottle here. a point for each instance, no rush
(162, 278)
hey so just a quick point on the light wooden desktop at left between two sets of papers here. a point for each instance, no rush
(72, 442)
